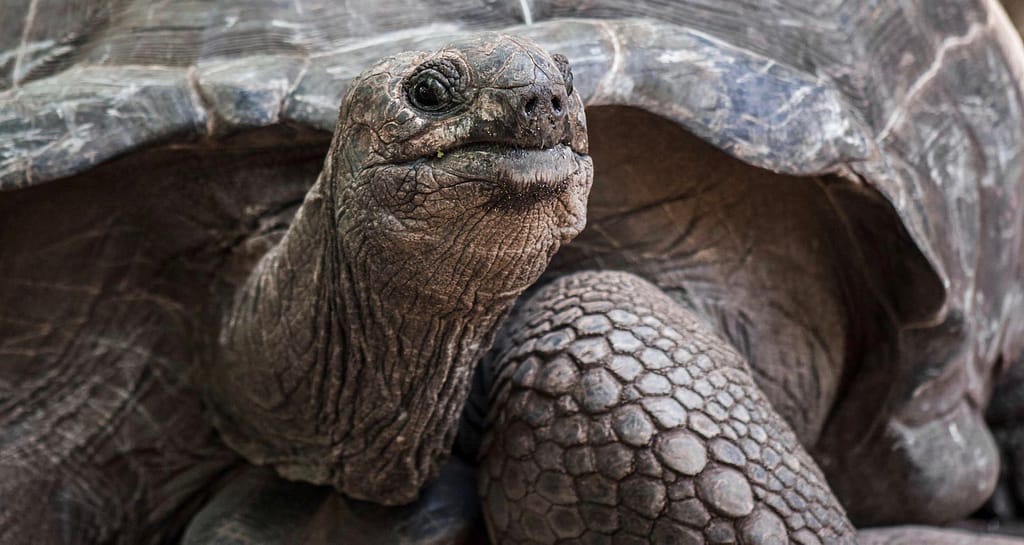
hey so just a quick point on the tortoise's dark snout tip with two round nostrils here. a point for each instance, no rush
(542, 114)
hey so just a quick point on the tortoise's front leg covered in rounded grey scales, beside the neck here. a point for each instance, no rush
(620, 420)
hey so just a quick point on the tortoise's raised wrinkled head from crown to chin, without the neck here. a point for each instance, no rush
(465, 165)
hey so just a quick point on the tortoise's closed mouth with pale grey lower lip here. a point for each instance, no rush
(537, 173)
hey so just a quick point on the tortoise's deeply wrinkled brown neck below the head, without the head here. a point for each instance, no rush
(334, 373)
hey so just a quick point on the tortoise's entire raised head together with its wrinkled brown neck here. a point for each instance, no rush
(347, 356)
